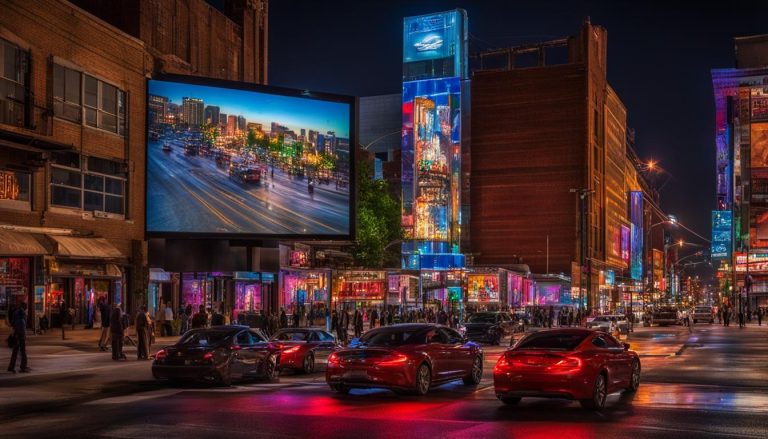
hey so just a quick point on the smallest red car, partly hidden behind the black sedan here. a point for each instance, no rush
(302, 348)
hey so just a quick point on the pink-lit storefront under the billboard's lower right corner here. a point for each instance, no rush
(307, 290)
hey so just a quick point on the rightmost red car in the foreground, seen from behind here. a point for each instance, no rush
(580, 364)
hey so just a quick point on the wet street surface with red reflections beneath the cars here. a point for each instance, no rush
(711, 383)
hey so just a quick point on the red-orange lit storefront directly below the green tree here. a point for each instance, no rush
(359, 289)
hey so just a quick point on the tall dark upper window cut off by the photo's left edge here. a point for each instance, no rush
(14, 64)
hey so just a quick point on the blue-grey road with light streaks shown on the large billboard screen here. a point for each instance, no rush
(191, 194)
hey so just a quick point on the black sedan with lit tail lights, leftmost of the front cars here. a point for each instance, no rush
(218, 354)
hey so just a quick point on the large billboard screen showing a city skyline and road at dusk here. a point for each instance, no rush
(227, 158)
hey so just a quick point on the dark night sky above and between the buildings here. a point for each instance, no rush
(659, 60)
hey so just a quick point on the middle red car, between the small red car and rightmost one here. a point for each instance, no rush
(405, 358)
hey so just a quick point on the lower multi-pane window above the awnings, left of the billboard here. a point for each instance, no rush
(92, 184)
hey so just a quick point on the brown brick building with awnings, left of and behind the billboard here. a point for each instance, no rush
(72, 136)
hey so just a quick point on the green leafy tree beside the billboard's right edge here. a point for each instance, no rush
(378, 222)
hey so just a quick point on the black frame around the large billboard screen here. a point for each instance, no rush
(353, 103)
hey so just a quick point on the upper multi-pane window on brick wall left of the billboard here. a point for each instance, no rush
(103, 104)
